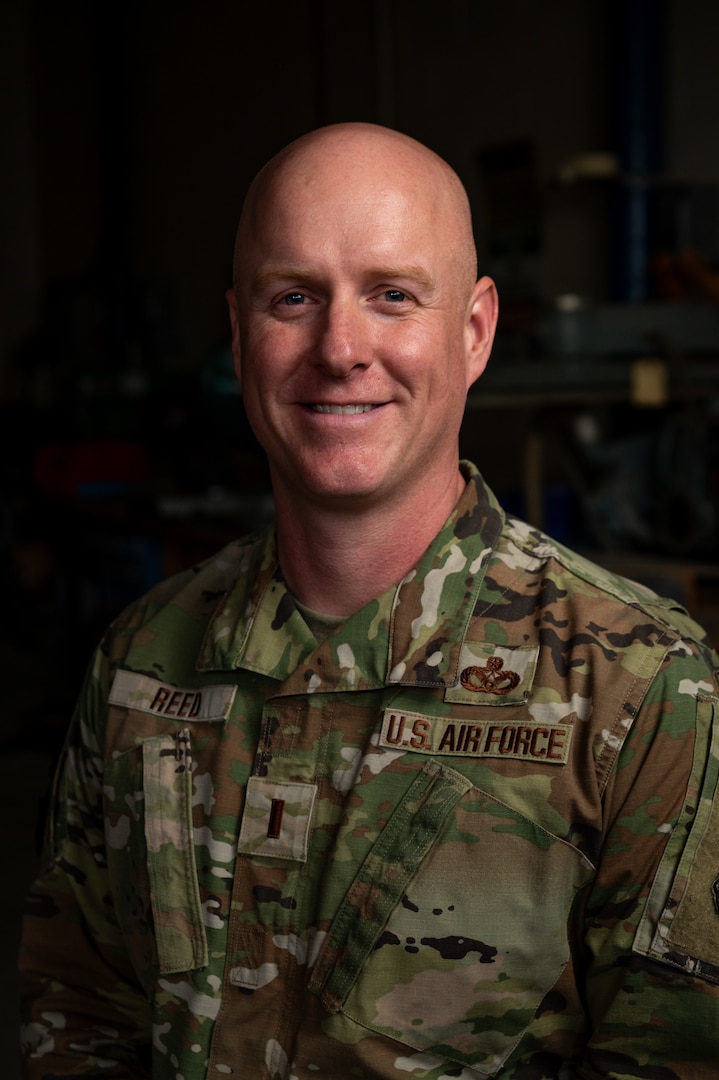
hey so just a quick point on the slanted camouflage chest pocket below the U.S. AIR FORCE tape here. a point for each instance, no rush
(456, 927)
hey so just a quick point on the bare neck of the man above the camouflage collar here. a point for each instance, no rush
(336, 561)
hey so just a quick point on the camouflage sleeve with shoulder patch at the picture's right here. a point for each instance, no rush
(653, 920)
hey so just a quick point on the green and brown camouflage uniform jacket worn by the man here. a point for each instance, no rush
(471, 834)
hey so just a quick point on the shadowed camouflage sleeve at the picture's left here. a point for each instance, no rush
(84, 1011)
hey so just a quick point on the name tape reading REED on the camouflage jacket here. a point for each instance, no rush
(133, 691)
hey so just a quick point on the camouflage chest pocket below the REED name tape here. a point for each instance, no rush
(150, 841)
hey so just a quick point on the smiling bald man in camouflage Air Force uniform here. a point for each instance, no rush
(401, 789)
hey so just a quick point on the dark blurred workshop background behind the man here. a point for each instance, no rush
(586, 134)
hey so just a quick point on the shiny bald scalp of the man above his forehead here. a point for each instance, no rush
(361, 161)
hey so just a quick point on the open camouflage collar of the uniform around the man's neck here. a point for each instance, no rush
(411, 636)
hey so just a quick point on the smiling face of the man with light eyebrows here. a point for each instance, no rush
(354, 332)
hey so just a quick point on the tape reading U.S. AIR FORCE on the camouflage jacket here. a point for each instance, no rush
(548, 744)
